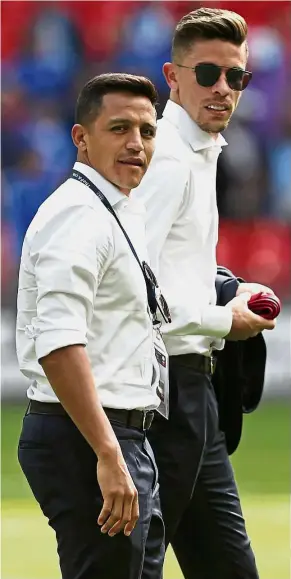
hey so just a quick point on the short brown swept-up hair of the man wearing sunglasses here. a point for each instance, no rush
(208, 24)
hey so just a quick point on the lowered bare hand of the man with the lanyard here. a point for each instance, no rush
(120, 509)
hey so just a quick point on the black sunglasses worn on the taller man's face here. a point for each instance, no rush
(207, 74)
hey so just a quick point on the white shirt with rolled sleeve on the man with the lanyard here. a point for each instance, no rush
(79, 283)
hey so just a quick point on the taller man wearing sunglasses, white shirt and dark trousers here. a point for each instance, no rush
(206, 78)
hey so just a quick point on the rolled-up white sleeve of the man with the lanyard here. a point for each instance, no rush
(69, 252)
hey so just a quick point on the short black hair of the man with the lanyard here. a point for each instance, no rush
(90, 98)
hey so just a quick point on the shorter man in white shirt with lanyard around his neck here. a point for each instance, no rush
(85, 341)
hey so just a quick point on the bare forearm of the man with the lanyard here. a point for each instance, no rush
(69, 373)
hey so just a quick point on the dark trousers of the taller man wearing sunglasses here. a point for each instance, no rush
(199, 498)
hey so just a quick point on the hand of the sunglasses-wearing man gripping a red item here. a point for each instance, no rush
(246, 324)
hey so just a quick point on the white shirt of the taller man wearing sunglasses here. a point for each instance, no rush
(179, 191)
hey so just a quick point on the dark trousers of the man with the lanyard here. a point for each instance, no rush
(60, 468)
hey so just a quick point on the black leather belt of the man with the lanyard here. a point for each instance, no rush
(128, 418)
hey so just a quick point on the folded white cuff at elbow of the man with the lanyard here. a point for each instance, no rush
(52, 340)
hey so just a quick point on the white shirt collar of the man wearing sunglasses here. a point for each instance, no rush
(197, 138)
